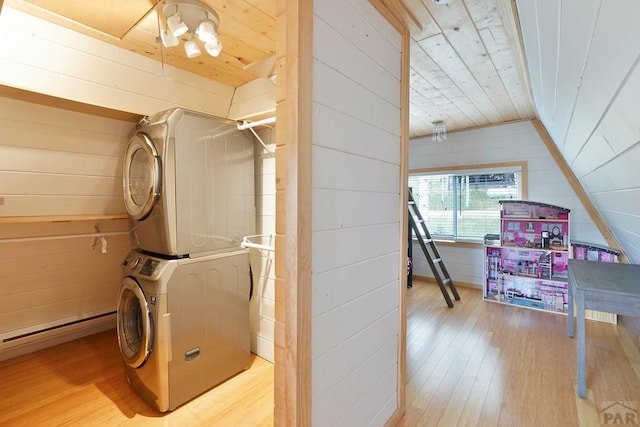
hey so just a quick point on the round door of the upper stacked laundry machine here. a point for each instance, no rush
(141, 176)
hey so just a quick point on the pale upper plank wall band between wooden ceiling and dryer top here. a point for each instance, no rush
(55, 61)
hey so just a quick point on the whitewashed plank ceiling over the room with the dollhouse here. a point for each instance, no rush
(467, 67)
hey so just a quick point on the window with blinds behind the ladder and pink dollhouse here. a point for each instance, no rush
(464, 204)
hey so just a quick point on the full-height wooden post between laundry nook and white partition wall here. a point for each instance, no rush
(294, 94)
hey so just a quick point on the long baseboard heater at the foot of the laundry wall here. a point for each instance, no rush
(47, 336)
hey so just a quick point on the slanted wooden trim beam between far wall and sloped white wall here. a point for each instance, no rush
(578, 189)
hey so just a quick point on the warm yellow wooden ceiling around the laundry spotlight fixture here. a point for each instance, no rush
(247, 32)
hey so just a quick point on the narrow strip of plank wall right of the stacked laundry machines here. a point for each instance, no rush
(262, 308)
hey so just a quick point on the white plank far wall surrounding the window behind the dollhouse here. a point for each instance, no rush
(506, 143)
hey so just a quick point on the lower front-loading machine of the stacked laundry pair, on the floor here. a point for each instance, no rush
(183, 324)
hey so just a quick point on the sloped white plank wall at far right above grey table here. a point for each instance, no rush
(584, 65)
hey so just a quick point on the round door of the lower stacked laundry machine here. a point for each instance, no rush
(135, 327)
